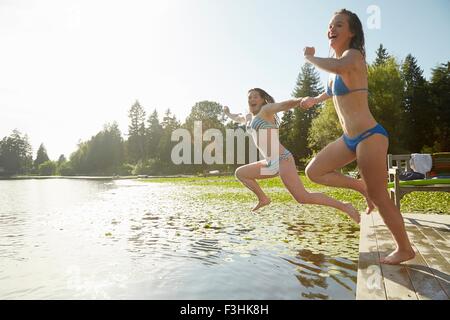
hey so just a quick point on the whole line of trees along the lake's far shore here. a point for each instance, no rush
(415, 112)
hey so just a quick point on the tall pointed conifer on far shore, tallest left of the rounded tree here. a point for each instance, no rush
(136, 133)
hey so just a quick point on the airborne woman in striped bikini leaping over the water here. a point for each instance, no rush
(264, 122)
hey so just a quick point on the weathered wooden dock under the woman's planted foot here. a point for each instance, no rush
(426, 277)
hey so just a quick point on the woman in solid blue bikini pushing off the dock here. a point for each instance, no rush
(364, 139)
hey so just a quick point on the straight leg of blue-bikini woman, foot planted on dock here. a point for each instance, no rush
(371, 157)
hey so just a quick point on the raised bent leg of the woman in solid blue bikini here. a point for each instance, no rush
(322, 169)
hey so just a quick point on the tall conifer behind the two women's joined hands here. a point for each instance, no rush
(308, 84)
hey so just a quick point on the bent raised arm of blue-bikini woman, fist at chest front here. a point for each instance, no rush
(334, 65)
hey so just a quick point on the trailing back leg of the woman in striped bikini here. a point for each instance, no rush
(291, 180)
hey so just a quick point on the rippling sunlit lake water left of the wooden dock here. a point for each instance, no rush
(126, 239)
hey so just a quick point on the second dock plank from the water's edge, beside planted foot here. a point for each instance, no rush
(396, 277)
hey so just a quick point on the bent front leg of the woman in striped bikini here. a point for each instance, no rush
(248, 174)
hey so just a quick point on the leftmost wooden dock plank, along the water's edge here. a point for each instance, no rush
(370, 284)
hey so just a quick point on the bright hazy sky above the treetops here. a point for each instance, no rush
(69, 67)
